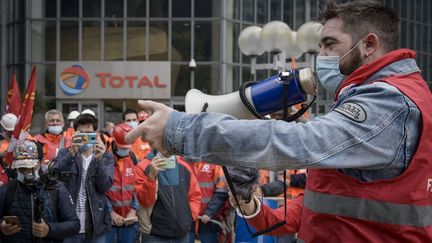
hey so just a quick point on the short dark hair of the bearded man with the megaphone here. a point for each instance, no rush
(366, 16)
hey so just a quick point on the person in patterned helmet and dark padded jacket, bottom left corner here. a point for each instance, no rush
(21, 220)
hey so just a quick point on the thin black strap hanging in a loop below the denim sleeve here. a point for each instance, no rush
(263, 231)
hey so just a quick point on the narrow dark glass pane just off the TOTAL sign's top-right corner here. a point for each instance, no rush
(181, 41)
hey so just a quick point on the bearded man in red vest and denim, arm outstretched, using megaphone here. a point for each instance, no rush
(369, 158)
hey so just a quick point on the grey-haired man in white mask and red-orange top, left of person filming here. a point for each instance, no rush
(53, 138)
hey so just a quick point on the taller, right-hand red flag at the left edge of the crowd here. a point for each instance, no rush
(24, 118)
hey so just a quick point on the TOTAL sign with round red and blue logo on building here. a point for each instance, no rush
(113, 80)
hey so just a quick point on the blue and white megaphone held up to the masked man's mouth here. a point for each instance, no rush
(263, 97)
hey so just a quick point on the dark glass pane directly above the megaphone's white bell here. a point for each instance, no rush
(208, 79)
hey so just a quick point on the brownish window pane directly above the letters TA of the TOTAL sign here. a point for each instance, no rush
(136, 40)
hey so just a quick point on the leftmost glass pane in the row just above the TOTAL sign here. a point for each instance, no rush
(43, 40)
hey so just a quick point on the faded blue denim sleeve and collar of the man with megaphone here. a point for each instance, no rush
(380, 147)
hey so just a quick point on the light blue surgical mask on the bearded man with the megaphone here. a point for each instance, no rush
(328, 70)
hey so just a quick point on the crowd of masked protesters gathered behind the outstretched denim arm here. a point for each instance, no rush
(114, 191)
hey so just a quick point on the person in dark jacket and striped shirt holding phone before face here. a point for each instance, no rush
(92, 169)
